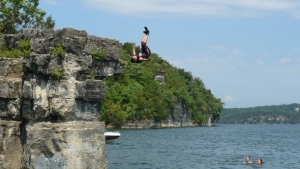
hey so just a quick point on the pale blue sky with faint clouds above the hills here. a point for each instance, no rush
(246, 52)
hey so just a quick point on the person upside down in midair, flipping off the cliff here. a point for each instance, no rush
(144, 55)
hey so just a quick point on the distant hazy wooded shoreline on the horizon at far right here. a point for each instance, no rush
(275, 114)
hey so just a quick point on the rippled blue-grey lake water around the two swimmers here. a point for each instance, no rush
(224, 147)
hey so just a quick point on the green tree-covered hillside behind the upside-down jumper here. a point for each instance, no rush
(136, 95)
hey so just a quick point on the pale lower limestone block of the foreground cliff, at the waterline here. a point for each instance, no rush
(70, 145)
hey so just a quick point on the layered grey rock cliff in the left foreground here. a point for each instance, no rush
(50, 103)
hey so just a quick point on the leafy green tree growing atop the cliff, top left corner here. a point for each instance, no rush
(17, 15)
